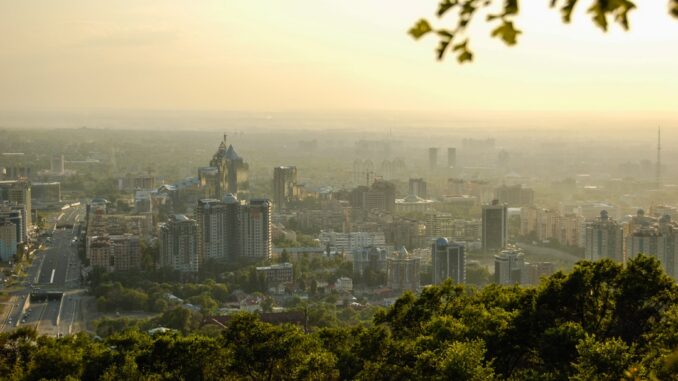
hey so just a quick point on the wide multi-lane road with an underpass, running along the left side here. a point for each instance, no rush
(55, 268)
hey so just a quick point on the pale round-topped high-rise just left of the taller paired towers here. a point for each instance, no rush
(178, 239)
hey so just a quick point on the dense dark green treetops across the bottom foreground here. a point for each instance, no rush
(602, 321)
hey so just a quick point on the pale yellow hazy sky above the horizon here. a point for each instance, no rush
(324, 55)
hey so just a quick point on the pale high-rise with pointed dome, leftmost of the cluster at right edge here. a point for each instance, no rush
(604, 239)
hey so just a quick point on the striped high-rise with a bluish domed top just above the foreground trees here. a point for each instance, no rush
(448, 260)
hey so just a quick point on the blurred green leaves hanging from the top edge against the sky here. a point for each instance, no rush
(455, 40)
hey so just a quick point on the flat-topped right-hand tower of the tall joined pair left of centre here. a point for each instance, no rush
(255, 232)
